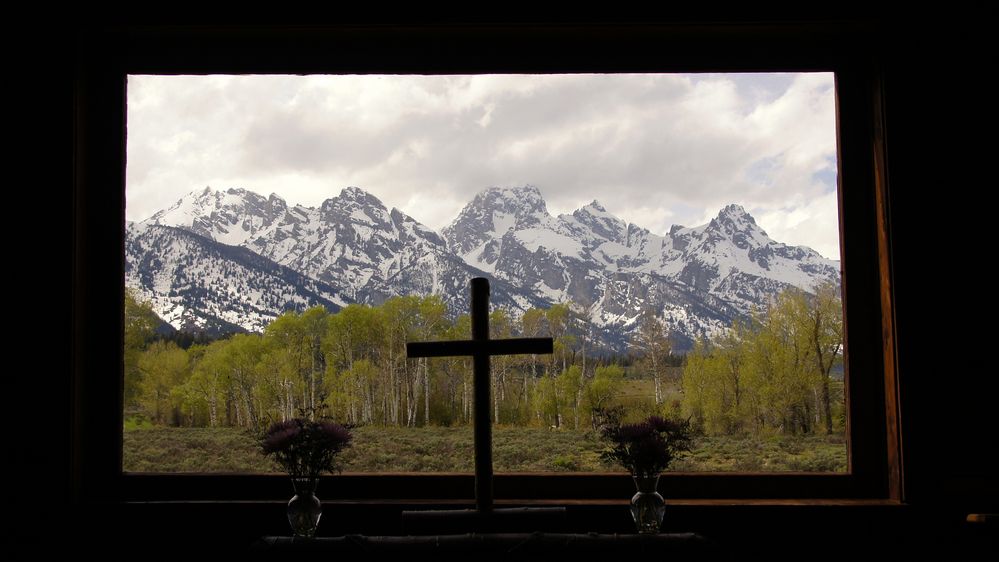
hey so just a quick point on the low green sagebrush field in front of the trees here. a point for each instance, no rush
(449, 449)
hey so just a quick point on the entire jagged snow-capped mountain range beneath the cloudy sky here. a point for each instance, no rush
(354, 249)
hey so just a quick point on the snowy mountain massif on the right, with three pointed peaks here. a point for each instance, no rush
(696, 279)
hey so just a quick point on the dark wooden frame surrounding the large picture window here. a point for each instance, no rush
(108, 55)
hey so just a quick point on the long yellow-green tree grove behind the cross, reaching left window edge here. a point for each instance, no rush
(352, 366)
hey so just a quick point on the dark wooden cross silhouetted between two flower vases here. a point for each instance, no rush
(480, 347)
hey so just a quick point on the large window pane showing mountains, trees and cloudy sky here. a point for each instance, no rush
(732, 321)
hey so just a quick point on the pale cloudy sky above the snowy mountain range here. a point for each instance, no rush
(655, 150)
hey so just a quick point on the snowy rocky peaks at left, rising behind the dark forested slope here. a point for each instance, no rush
(351, 240)
